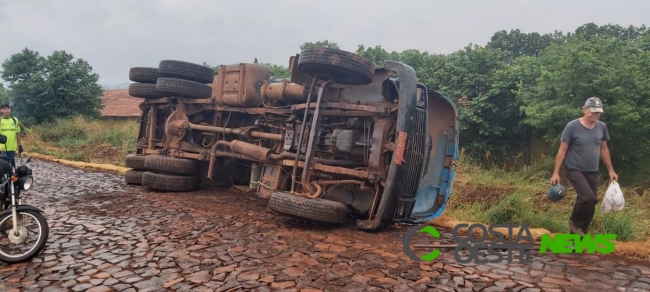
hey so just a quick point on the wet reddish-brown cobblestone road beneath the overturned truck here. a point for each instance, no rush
(106, 236)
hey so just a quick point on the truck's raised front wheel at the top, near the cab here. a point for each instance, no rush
(344, 67)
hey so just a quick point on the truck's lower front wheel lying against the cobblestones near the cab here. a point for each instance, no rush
(317, 210)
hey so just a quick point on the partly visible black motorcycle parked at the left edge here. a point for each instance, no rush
(14, 231)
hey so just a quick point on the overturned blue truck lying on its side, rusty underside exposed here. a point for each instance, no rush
(338, 140)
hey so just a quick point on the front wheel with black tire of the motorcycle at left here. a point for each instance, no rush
(30, 239)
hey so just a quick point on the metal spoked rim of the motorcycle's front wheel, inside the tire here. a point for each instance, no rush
(7, 247)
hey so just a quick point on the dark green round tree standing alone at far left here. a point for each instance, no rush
(58, 86)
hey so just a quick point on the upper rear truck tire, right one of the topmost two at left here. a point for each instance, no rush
(185, 70)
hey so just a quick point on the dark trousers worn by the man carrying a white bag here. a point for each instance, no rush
(585, 183)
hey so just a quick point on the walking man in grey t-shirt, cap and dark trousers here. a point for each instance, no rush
(583, 144)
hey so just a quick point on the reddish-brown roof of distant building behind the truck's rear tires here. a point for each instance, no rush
(118, 104)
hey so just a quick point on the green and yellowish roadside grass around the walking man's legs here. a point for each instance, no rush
(497, 196)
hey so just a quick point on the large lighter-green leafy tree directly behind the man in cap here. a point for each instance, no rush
(614, 69)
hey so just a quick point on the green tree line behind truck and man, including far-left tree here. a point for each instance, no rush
(516, 84)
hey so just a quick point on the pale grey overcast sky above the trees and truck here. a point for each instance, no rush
(114, 35)
